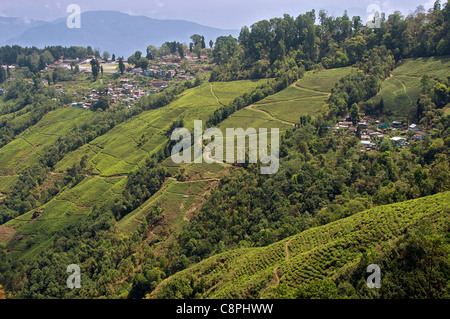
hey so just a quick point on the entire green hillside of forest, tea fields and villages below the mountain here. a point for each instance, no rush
(363, 176)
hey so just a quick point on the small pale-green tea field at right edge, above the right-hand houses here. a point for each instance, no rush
(401, 91)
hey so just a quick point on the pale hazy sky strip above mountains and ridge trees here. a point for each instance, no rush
(231, 14)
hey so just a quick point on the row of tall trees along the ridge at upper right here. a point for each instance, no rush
(330, 43)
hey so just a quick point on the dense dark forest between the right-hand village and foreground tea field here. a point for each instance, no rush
(322, 178)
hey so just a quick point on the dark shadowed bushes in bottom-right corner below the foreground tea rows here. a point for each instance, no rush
(415, 267)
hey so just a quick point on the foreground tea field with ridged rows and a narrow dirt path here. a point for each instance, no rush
(277, 270)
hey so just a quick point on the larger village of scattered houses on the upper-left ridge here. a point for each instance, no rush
(126, 88)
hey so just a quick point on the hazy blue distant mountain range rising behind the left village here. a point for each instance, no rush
(111, 31)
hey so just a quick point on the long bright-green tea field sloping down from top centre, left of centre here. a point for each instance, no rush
(123, 148)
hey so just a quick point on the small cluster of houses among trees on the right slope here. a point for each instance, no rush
(371, 131)
